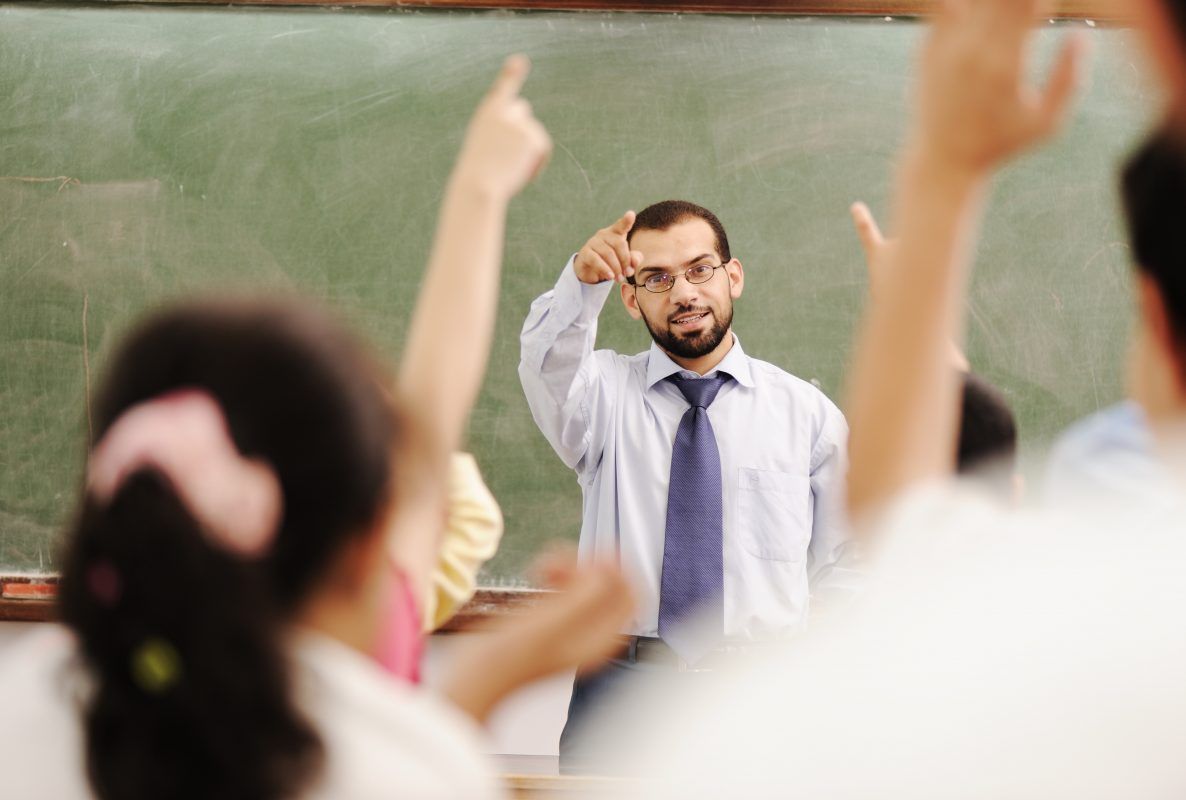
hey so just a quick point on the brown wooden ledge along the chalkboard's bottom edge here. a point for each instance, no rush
(30, 599)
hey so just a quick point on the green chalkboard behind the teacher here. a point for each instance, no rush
(150, 153)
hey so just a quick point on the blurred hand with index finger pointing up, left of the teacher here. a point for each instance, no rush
(506, 146)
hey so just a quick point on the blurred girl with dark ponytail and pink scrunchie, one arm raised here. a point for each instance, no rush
(227, 592)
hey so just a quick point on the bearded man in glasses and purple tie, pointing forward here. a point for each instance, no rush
(713, 478)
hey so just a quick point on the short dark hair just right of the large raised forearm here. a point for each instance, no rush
(989, 436)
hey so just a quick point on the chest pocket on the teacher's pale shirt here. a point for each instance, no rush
(775, 511)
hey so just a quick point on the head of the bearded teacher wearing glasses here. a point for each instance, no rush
(686, 259)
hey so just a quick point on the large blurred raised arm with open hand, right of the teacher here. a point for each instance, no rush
(975, 111)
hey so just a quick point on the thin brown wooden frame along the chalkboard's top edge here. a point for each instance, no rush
(1094, 10)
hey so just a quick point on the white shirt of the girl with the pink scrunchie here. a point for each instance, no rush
(382, 739)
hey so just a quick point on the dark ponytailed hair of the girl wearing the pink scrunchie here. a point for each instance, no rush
(184, 637)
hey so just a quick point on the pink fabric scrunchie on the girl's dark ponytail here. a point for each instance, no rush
(184, 436)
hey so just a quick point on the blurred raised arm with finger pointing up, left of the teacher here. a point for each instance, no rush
(454, 324)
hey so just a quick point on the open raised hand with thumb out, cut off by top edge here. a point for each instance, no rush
(975, 107)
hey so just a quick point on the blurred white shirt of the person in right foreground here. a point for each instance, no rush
(996, 655)
